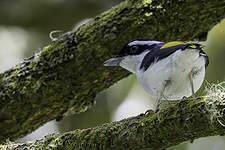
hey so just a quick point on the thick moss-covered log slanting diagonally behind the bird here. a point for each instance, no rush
(68, 73)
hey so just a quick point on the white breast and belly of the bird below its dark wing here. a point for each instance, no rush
(174, 71)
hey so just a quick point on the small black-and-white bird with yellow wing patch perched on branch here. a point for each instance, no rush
(166, 70)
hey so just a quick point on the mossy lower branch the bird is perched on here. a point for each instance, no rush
(186, 120)
